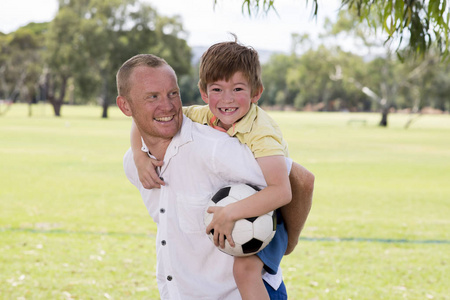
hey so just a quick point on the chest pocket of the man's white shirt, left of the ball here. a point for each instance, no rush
(190, 212)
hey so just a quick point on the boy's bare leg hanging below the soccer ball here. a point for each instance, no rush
(247, 274)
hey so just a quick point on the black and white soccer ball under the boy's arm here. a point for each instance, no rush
(250, 235)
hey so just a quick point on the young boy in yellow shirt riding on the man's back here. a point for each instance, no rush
(230, 83)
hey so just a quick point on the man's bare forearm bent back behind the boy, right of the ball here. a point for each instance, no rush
(296, 212)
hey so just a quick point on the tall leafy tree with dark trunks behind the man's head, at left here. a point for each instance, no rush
(90, 39)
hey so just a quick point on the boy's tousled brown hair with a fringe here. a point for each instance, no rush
(222, 60)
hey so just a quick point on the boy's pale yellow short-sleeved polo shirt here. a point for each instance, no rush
(256, 129)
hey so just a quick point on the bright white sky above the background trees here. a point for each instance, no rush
(204, 23)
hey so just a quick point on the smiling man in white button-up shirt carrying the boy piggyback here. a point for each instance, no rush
(197, 161)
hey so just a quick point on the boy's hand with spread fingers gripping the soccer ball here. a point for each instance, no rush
(222, 225)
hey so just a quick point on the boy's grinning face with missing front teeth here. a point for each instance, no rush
(230, 100)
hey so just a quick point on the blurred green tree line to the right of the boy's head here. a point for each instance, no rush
(330, 79)
